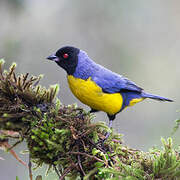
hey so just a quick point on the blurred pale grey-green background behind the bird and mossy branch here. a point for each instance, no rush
(138, 39)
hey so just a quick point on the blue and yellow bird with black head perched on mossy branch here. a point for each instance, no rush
(98, 87)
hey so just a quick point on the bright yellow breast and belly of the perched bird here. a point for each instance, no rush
(92, 95)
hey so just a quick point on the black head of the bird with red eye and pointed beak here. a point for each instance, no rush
(67, 58)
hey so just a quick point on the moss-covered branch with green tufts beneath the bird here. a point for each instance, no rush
(64, 137)
